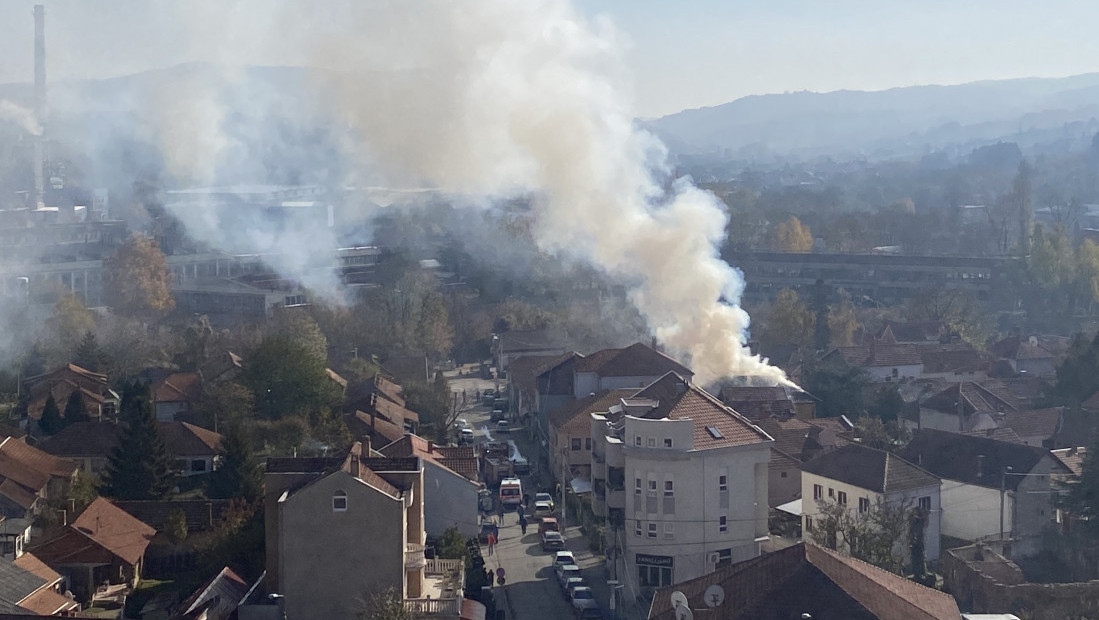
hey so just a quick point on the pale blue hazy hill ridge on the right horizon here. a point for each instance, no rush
(895, 123)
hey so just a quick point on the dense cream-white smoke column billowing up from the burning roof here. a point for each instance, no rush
(509, 97)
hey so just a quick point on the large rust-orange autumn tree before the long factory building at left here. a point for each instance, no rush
(138, 281)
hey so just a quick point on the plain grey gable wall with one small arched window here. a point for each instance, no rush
(329, 561)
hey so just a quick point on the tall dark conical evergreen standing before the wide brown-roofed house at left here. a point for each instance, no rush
(139, 467)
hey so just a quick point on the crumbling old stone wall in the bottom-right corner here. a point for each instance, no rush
(984, 582)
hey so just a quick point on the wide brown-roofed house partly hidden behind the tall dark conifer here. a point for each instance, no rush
(90, 445)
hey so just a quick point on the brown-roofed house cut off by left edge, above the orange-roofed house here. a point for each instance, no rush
(28, 479)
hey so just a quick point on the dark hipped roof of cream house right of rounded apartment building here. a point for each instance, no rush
(873, 470)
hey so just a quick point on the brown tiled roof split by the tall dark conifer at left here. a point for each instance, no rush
(98, 439)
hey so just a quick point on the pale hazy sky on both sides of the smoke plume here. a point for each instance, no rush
(684, 54)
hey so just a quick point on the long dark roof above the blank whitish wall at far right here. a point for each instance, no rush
(954, 457)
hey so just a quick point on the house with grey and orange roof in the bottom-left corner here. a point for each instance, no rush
(30, 588)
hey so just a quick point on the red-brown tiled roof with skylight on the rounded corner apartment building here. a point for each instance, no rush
(678, 401)
